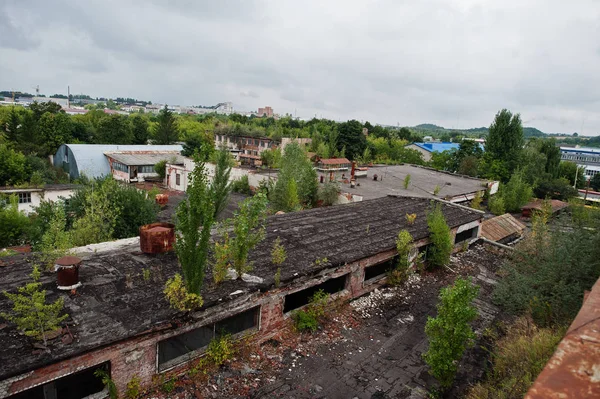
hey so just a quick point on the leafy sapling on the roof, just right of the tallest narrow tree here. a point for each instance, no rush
(248, 231)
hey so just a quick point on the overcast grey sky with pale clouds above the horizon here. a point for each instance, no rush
(452, 63)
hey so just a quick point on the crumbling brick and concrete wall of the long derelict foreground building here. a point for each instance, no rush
(138, 356)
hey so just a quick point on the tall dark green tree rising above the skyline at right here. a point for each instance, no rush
(504, 145)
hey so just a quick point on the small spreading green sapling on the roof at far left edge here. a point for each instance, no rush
(31, 313)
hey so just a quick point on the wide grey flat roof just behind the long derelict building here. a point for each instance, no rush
(423, 182)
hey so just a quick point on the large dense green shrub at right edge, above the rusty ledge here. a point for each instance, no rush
(548, 273)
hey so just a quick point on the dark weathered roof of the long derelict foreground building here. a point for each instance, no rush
(115, 303)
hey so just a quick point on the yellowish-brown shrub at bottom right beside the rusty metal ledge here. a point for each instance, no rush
(517, 358)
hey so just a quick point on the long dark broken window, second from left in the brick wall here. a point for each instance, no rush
(186, 346)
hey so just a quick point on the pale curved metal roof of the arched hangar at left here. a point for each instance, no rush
(92, 162)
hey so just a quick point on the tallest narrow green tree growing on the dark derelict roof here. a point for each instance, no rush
(195, 217)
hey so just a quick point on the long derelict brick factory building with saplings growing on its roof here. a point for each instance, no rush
(122, 323)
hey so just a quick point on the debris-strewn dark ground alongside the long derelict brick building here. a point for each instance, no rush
(368, 349)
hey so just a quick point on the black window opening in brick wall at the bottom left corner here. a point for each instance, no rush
(73, 386)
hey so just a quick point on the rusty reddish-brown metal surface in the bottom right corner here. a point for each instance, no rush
(574, 369)
